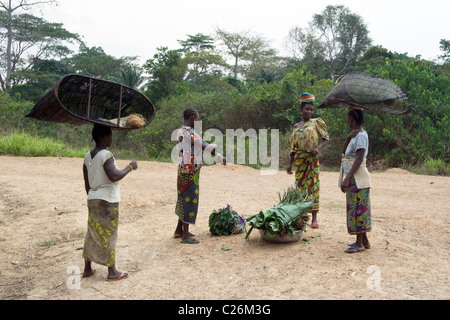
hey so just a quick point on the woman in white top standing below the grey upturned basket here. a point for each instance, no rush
(354, 181)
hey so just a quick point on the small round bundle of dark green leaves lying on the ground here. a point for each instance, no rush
(225, 222)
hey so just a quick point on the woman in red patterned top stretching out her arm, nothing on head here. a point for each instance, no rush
(190, 151)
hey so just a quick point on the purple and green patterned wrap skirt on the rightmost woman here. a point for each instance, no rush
(358, 210)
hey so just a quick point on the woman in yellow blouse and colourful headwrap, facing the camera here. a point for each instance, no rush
(308, 138)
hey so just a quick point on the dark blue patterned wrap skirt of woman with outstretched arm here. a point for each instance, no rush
(188, 188)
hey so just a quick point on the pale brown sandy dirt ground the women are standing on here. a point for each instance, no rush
(43, 217)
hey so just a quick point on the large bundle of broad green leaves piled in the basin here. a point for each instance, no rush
(289, 216)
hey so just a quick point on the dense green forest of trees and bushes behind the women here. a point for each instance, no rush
(234, 80)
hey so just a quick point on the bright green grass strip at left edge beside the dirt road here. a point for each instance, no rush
(24, 145)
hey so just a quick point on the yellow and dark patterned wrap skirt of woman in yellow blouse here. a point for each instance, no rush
(307, 176)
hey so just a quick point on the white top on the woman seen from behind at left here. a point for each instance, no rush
(101, 187)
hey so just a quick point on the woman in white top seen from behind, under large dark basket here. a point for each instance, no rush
(101, 180)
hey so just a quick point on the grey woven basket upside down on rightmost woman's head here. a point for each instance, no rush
(368, 92)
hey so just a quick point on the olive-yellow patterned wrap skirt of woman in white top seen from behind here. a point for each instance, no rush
(101, 236)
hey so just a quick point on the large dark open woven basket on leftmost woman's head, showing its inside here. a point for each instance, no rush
(79, 99)
